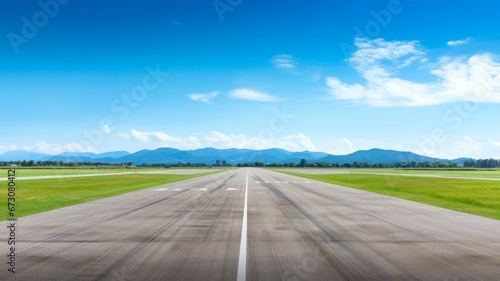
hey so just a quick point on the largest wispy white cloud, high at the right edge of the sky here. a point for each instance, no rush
(475, 78)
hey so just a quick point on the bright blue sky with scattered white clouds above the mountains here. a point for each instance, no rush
(332, 76)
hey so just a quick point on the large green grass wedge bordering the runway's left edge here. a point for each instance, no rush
(36, 196)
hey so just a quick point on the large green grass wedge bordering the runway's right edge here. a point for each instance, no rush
(479, 197)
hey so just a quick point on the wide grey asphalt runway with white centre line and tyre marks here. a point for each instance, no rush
(294, 229)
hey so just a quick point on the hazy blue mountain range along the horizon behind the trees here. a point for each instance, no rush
(232, 156)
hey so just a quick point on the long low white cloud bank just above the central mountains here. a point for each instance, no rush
(296, 142)
